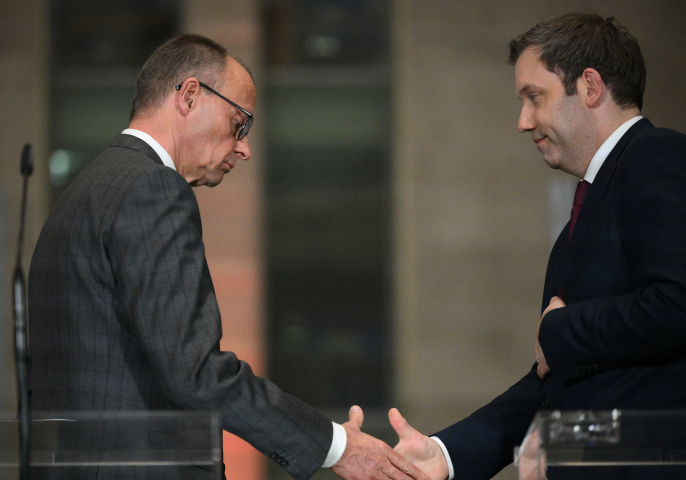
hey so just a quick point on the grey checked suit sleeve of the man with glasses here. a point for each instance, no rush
(167, 301)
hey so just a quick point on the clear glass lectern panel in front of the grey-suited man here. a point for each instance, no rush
(116, 439)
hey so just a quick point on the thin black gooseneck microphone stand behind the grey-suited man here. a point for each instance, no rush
(21, 344)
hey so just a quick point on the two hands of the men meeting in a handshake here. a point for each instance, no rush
(416, 456)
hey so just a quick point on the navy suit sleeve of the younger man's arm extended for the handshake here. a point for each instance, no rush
(483, 444)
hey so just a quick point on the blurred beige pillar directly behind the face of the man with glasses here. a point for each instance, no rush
(232, 219)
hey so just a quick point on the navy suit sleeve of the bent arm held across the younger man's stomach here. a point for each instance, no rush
(647, 325)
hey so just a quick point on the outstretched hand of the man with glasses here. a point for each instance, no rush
(366, 458)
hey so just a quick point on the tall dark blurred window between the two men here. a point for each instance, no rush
(328, 201)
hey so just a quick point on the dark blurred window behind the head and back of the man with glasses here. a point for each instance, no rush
(98, 48)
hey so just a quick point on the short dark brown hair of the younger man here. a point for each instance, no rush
(573, 42)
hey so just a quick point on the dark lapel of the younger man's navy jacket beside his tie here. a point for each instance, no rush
(592, 202)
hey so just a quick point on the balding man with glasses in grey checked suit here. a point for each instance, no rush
(123, 311)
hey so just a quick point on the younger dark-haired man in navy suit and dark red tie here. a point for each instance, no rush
(612, 332)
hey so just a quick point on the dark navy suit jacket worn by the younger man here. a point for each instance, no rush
(621, 341)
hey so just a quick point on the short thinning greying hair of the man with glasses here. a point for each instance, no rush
(181, 57)
